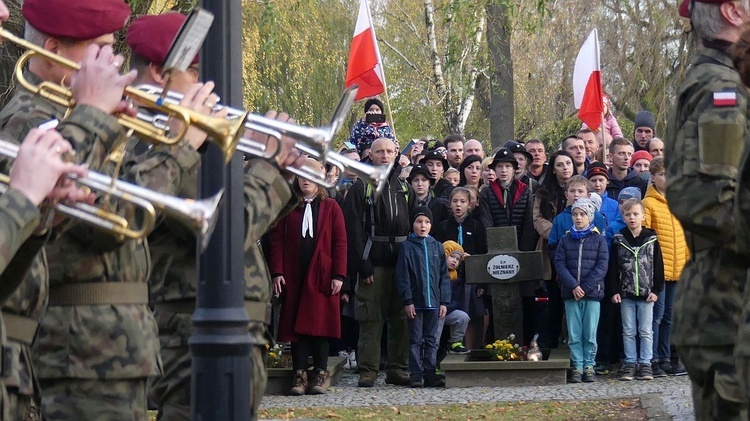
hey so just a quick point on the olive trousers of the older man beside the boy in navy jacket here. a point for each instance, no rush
(377, 303)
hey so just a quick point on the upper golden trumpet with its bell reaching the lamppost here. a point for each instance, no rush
(225, 133)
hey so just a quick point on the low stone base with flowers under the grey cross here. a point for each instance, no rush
(477, 369)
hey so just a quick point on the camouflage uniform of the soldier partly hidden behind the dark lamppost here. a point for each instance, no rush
(173, 286)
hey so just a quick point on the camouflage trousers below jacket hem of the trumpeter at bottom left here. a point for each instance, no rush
(94, 399)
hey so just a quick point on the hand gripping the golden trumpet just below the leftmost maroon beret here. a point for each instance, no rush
(99, 83)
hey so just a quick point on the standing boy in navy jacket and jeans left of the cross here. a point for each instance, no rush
(424, 288)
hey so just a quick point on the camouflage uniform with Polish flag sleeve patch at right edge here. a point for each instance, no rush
(704, 144)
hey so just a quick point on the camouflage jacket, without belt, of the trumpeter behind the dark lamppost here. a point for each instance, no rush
(174, 275)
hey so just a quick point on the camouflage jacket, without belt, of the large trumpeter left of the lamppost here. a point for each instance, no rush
(86, 341)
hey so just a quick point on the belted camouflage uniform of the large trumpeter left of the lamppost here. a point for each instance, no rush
(88, 348)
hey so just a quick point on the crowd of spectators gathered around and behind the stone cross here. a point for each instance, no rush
(399, 278)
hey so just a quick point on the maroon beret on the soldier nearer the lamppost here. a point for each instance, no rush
(150, 36)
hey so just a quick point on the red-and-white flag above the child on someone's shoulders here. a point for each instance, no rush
(365, 66)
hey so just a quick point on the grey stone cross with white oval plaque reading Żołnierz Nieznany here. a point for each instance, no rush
(502, 268)
